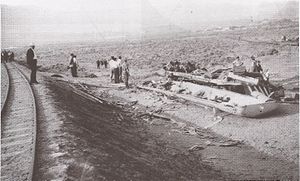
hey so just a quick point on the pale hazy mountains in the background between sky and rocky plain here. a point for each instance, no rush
(21, 25)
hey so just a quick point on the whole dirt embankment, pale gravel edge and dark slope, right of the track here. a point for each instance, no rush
(121, 140)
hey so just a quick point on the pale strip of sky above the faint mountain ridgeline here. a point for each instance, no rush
(166, 7)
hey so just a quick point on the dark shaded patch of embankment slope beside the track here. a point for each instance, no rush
(104, 142)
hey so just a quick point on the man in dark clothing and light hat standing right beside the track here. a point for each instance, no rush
(32, 63)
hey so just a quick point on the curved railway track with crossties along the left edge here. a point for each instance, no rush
(18, 128)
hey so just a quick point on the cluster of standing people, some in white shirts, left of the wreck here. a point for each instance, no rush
(119, 70)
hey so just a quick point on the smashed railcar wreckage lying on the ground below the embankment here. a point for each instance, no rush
(242, 93)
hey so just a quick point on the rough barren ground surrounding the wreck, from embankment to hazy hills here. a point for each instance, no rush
(267, 147)
